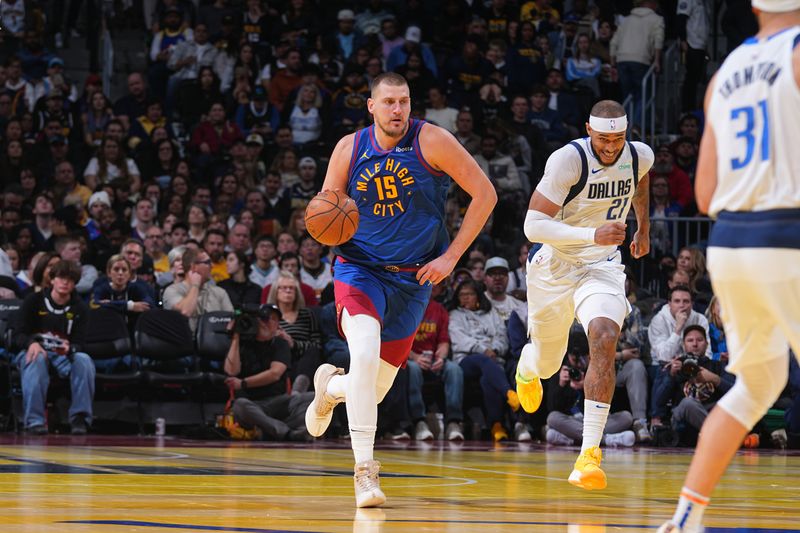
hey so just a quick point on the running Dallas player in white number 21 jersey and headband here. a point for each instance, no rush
(578, 213)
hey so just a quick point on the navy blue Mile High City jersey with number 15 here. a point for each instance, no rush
(400, 200)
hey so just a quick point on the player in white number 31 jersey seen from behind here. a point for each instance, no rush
(748, 177)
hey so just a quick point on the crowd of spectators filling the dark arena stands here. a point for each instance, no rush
(187, 192)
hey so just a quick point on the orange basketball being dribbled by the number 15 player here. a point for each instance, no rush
(332, 218)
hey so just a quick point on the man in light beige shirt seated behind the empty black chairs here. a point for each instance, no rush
(195, 295)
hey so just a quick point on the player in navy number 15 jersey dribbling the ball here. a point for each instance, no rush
(398, 172)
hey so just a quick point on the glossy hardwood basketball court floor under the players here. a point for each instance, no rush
(149, 485)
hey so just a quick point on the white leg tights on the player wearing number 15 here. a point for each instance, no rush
(367, 383)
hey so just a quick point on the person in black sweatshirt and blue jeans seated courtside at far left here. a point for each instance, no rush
(51, 337)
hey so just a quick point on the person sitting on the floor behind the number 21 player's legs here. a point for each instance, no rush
(565, 404)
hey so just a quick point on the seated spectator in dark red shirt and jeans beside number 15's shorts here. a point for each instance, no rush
(429, 361)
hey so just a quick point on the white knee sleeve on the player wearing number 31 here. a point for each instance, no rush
(757, 387)
